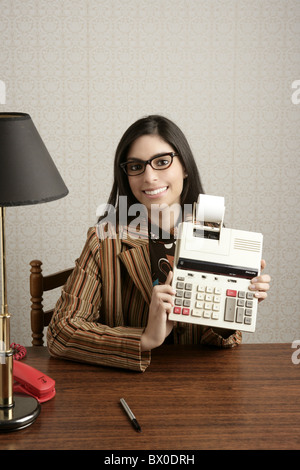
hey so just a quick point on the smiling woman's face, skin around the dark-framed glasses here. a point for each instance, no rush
(155, 186)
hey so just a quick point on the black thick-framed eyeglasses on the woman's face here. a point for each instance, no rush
(158, 162)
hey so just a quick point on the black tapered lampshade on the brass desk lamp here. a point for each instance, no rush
(28, 174)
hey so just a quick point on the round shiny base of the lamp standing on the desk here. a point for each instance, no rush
(22, 414)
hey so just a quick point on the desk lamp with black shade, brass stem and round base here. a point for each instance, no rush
(28, 175)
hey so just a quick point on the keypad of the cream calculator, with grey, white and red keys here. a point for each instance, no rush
(204, 301)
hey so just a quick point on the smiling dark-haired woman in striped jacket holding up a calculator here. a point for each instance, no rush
(114, 308)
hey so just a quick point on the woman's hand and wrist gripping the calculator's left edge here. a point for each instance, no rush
(158, 326)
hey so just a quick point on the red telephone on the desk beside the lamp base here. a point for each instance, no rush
(32, 382)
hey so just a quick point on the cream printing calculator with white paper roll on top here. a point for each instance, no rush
(213, 266)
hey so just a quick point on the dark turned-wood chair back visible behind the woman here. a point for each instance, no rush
(38, 285)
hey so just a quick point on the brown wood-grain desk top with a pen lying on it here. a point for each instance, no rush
(189, 398)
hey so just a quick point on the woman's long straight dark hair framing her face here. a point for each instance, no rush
(170, 133)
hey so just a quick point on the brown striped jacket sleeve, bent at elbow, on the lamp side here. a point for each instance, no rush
(74, 332)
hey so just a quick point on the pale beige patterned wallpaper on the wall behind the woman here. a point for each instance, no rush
(223, 70)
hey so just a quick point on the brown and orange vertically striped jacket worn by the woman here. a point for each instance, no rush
(103, 308)
